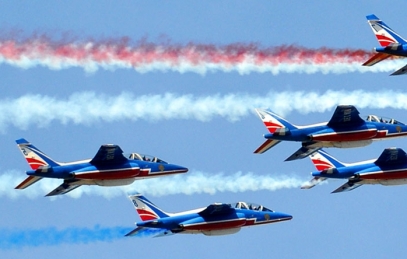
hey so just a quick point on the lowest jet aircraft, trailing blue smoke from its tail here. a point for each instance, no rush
(216, 219)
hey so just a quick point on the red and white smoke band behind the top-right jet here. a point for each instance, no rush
(145, 56)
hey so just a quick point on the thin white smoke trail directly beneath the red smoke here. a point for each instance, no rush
(243, 68)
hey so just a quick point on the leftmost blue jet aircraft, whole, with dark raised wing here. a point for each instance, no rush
(109, 167)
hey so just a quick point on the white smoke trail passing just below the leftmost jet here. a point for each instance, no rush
(191, 183)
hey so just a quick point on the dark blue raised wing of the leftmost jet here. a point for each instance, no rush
(109, 155)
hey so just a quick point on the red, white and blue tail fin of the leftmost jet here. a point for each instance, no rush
(35, 158)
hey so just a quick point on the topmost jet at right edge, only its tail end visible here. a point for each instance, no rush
(392, 44)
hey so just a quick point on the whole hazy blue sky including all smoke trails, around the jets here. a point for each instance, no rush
(68, 87)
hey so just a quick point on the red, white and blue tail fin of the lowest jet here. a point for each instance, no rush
(146, 209)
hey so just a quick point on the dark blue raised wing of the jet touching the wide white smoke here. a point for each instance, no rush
(345, 115)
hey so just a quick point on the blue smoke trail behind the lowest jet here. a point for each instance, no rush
(51, 236)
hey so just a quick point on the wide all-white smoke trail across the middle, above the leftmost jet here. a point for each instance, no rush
(87, 108)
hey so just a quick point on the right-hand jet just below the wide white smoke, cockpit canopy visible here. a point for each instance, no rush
(346, 129)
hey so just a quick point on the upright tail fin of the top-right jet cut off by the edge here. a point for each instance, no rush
(384, 34)
